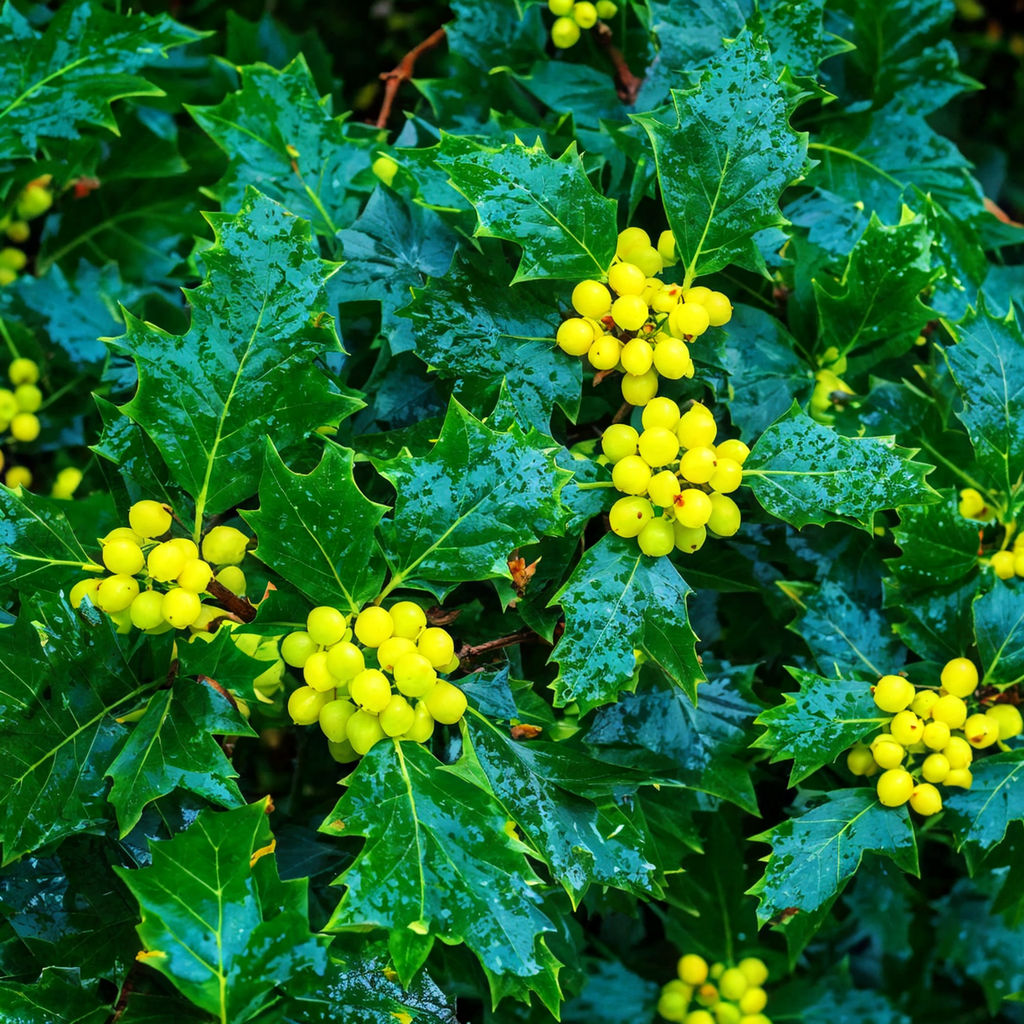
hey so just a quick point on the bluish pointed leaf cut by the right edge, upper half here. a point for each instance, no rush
(988, 364)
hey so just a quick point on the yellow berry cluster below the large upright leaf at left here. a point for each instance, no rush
(173, 575)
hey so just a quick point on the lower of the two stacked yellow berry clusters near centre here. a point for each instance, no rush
(692, 490)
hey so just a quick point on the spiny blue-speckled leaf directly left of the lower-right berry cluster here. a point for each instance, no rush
(817, 726)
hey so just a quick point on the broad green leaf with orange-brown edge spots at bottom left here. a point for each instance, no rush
(218, 921)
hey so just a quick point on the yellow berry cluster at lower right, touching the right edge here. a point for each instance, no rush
(937, 727)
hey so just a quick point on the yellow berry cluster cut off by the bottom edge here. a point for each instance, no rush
(723, 995)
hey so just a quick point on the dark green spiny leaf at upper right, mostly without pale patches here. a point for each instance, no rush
(875, 308)
